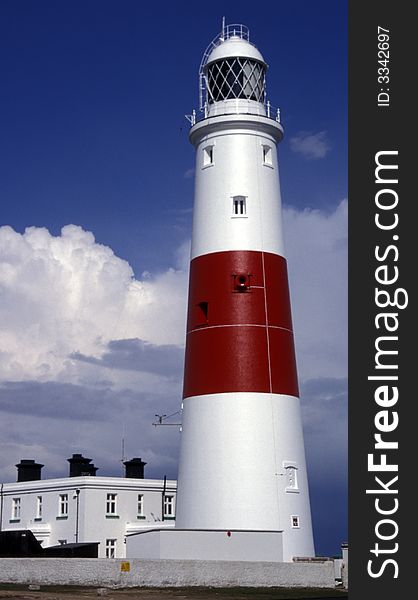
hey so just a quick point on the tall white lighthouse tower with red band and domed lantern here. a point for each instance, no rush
(242, 460)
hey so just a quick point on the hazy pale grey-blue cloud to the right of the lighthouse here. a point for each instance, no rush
(316, 244)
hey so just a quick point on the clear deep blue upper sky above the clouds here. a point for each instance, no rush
(93, 104)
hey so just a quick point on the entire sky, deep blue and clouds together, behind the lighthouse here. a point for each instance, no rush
(93, 133)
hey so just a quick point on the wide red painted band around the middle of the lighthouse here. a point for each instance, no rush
(239, 325)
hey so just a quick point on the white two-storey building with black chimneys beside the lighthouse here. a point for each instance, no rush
(87, 508)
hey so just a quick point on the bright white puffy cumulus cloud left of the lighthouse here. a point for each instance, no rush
(67, 294)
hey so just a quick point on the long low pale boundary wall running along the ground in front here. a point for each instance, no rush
(164, 573)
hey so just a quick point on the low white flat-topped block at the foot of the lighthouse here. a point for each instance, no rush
(206, 544)
